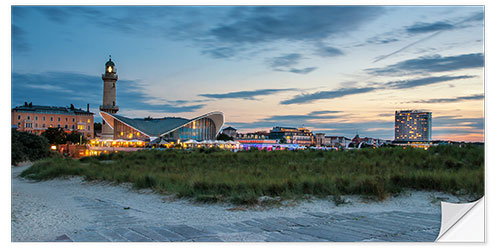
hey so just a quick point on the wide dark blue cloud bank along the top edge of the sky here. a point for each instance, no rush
(216, 30)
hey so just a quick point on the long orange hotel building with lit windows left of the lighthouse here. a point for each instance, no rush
(36, 119)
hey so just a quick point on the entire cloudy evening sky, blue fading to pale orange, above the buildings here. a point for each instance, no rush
(339, 70)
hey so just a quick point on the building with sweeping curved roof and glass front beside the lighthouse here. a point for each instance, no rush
(205, 127)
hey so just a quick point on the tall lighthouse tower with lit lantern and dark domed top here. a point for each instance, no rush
(109, 97)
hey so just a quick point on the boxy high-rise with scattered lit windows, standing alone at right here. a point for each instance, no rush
(412, 126)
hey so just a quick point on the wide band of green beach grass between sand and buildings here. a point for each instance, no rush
(242, 177)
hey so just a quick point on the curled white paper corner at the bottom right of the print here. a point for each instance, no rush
(462, 222)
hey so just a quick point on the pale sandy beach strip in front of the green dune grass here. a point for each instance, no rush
(42, 211)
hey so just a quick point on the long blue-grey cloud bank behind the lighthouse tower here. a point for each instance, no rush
(64, 88)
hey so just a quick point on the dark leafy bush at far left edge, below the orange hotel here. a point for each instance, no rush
(26, 146)
